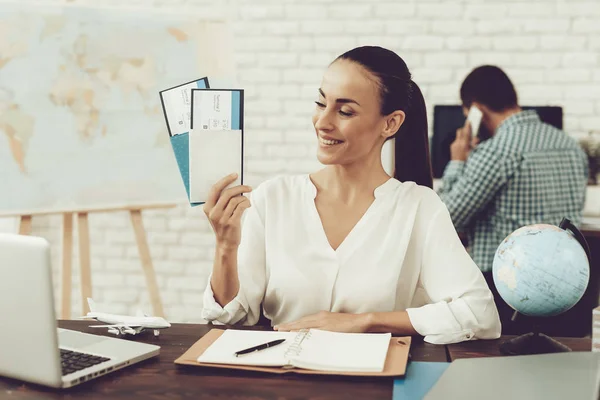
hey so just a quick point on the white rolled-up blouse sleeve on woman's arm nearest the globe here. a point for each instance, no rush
(461, 304)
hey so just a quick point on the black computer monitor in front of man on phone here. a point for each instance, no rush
(447, 119)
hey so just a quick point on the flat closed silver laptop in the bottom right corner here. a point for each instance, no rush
(560, 376)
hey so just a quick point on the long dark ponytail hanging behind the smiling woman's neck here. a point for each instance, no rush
(411, 149)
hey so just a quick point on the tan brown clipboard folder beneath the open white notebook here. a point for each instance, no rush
(395, 361)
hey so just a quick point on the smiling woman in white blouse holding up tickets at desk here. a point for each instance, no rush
(350, 248)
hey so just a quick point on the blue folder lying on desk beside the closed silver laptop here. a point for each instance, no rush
(419, 379)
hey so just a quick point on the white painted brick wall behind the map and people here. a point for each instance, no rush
(549, 48)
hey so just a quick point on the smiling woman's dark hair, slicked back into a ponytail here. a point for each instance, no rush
(399, 92)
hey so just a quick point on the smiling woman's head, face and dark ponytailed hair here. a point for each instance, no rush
(382, 92)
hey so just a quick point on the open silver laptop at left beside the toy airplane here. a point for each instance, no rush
(32, 349)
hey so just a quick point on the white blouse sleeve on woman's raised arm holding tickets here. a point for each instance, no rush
(245, 307)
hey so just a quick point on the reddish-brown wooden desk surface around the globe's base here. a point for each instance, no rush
(490, 348)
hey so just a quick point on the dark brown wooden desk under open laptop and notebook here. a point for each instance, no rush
(160, 378)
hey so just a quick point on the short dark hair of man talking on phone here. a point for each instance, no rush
(490, 86)
